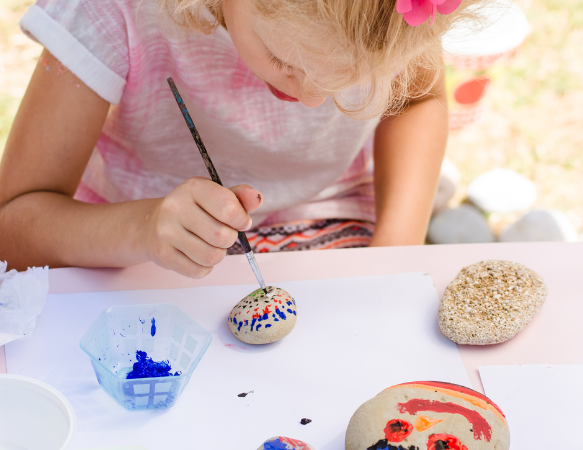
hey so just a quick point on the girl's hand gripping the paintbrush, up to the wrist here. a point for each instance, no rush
(190, 229)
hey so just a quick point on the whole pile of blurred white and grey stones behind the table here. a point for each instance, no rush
(498, 191)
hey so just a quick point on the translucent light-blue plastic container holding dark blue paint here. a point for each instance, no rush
(118, 332)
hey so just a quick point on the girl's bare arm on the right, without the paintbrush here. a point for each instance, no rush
(408, 151)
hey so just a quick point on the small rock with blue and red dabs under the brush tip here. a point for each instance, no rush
(262, 318)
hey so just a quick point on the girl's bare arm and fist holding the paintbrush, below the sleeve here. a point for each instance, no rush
(53, 135)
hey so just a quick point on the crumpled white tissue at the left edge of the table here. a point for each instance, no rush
(22, 297)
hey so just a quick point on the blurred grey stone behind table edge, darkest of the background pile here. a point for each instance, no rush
(461, 225)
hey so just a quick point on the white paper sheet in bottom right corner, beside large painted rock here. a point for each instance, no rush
(541, 401)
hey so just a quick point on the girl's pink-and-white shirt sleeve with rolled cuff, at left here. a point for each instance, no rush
(89, 37)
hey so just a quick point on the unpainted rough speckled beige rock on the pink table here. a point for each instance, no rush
(490, 302)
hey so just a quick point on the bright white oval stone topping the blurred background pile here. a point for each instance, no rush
(502, 190)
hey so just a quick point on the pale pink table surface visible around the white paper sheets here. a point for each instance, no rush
(554, 336)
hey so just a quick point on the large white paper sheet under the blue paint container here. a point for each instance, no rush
(353, 338)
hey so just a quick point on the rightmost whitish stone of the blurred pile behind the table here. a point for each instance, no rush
(541, 225)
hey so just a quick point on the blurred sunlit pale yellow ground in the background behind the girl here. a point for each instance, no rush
(533, 123)
